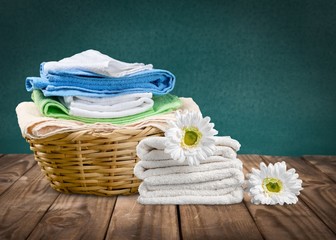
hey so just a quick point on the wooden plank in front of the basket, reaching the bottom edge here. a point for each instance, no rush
(74, 216)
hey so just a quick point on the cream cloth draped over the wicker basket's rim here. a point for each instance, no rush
(34, 125)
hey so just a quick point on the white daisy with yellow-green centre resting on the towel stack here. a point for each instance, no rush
(190, 138)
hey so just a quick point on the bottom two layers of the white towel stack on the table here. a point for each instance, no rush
(223, 186)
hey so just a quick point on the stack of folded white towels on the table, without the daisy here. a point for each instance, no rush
(217, 180)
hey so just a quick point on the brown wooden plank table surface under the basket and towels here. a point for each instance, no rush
(31, 209)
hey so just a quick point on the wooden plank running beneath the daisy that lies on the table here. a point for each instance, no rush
(296, 221)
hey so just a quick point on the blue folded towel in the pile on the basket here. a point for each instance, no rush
(83, 82)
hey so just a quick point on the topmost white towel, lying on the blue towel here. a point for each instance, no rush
(96, 62)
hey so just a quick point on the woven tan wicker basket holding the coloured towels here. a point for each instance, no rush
(90, 162)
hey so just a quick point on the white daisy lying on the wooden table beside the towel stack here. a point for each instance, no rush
(272, 184)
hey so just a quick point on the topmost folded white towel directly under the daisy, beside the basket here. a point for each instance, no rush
(152, 148)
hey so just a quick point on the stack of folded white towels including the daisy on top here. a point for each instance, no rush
(189, 165)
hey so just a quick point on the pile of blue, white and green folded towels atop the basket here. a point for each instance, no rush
(93, 87)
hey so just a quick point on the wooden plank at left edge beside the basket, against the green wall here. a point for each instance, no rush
(12, 167)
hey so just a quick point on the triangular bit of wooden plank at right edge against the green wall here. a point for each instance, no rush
(326, 164)
